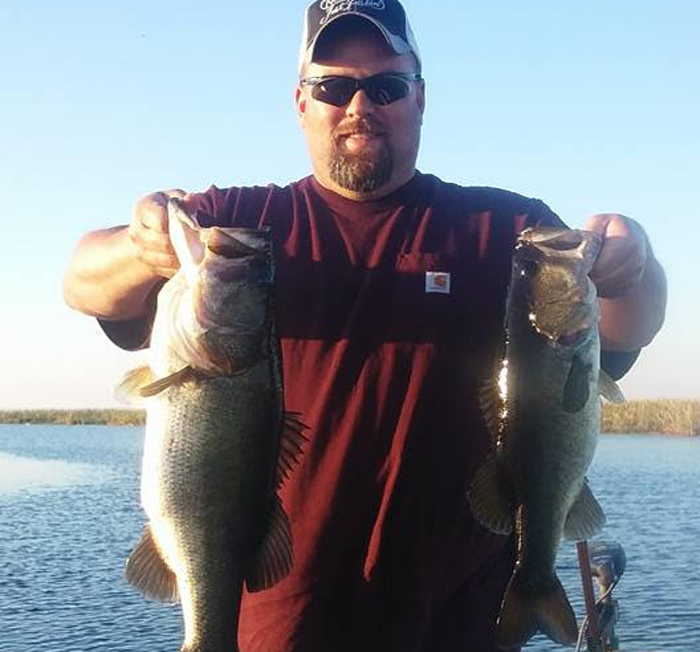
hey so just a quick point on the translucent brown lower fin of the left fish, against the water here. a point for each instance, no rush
(149, 573)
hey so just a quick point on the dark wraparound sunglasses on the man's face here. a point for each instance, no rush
(382, 89)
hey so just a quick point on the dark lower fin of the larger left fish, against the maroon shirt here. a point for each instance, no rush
(274, 557)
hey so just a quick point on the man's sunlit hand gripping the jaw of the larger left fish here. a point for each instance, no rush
(148, 232)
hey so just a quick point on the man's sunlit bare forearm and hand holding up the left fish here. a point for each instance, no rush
(113, 271)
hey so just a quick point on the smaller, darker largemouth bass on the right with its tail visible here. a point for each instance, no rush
(543, 408)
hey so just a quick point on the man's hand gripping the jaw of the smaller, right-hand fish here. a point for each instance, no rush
(622, 258)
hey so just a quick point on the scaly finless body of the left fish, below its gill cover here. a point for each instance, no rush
(209, 461)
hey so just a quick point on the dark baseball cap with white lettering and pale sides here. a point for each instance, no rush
(388, 16)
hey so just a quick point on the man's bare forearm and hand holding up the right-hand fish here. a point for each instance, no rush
(631, 284)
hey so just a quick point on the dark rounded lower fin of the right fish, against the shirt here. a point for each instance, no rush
(491, 497)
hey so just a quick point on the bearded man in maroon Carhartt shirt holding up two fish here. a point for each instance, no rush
(390, 294)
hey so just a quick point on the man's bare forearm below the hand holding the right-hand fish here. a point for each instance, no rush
(631, 321)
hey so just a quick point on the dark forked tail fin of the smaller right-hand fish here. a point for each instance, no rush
(527, 609)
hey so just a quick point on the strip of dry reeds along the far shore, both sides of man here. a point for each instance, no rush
(662, 416)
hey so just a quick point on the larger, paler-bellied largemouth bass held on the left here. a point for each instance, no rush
(218, 443)
